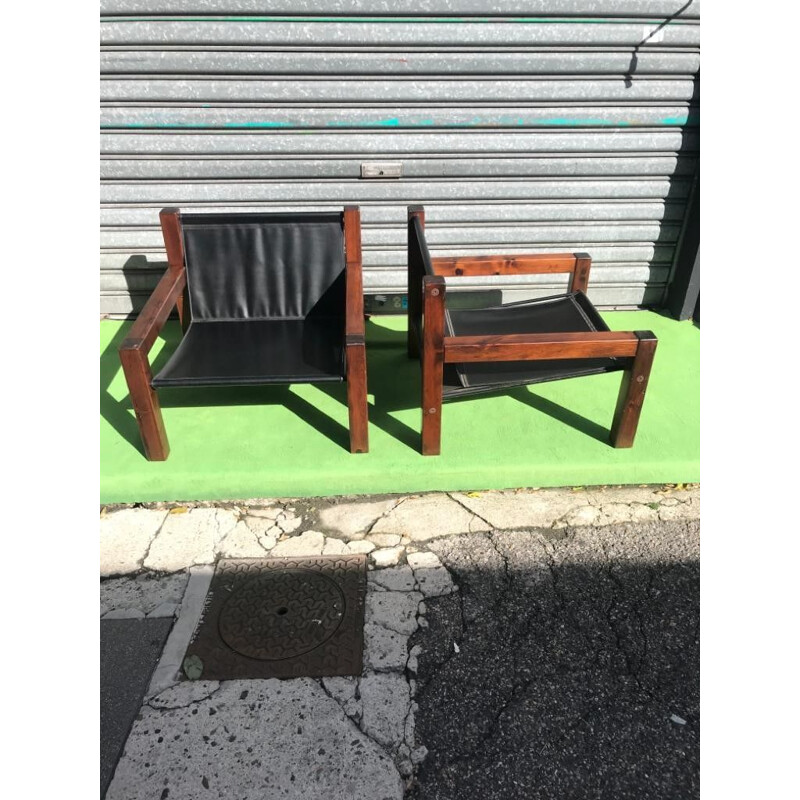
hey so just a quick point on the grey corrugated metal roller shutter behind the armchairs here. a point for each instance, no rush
(559, 124)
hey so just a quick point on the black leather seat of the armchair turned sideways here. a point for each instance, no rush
(559, 314)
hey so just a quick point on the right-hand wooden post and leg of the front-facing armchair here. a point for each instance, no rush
(355, 343)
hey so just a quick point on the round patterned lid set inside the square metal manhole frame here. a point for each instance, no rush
(282, 614)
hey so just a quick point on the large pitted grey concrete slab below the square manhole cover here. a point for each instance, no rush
(251, 740)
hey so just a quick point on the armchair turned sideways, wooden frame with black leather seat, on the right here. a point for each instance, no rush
(480, 350)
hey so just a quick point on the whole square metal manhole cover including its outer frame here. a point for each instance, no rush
(281, 617)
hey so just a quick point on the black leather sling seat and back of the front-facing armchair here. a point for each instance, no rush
(256, 317)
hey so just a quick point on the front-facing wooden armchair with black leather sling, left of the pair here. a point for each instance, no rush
(262, 299)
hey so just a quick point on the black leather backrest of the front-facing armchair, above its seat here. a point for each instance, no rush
(262, 266)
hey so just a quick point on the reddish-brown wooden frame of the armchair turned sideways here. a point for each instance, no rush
(427, 339)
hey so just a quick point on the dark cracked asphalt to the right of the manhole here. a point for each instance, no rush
(566, 667)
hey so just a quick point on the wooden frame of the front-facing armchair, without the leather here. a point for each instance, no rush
(172, 292)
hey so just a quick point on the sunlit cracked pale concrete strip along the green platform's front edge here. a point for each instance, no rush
(162, 538)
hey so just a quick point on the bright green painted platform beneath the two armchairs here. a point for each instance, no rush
(292, 441)
